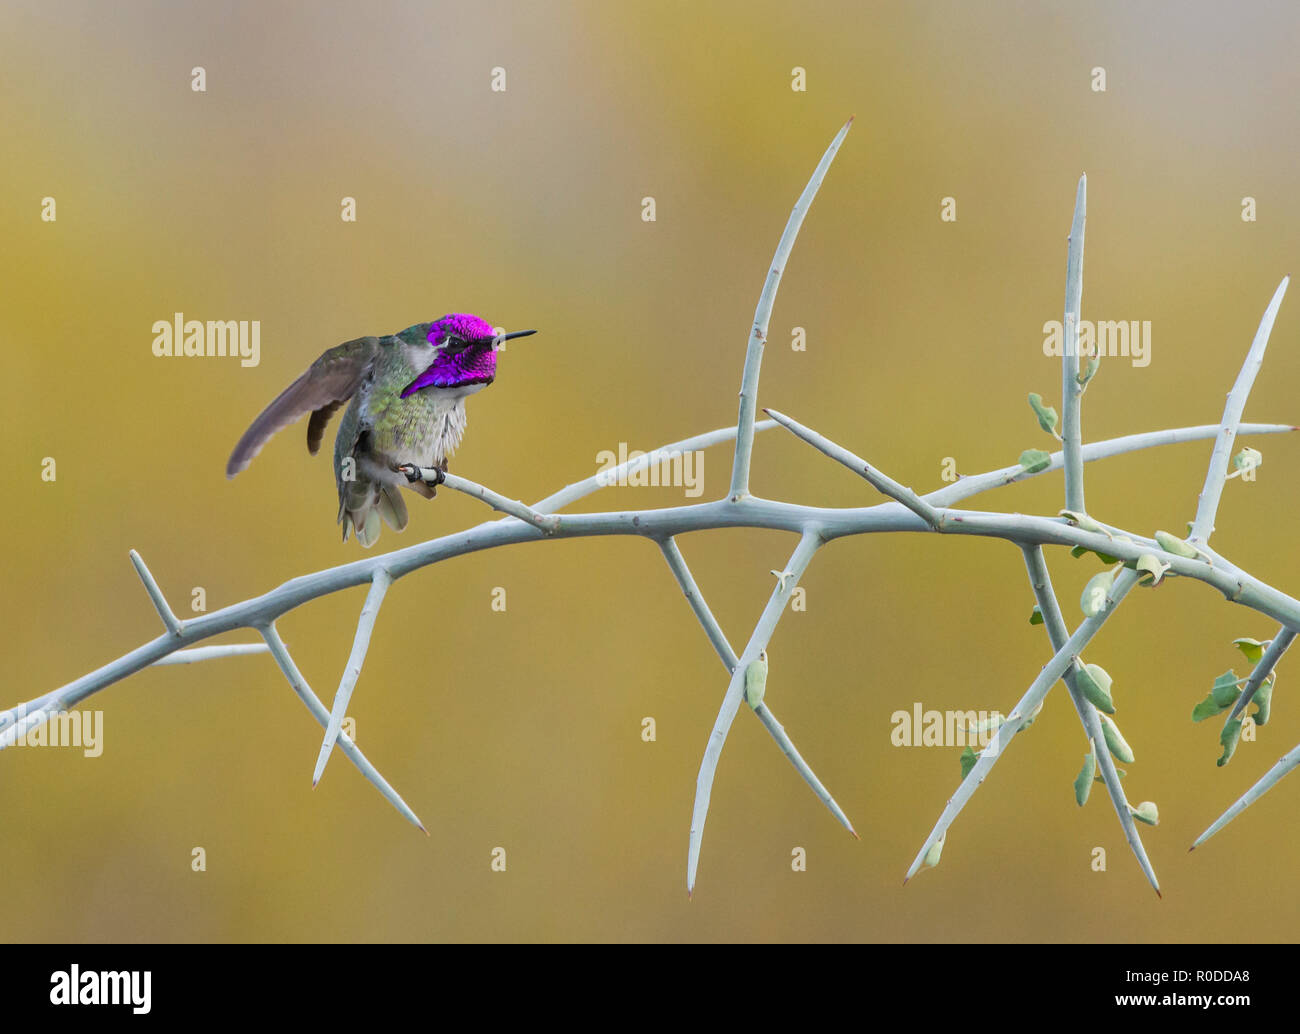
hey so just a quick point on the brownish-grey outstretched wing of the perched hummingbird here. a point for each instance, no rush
(328, 384)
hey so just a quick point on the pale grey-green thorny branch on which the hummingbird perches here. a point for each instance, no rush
(1143, 559)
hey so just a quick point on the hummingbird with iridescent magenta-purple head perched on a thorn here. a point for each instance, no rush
(408, 408)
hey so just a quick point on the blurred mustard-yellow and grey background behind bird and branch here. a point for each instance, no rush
(522, 729)
